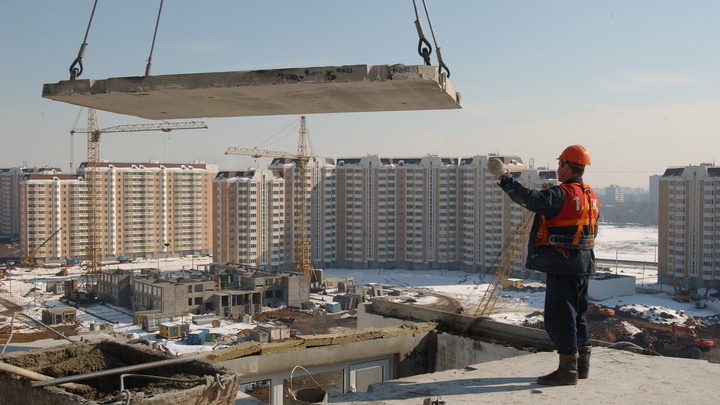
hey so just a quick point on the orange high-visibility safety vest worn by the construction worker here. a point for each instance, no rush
(574, 226)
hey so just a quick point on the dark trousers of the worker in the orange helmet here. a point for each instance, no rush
(566, 302)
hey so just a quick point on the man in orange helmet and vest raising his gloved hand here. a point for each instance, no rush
(561, 245)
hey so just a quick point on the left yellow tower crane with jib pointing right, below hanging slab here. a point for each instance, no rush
(93, 252)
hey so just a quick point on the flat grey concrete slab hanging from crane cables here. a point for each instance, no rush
(317, 90)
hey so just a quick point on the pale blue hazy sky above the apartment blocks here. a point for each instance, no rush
(636, 82)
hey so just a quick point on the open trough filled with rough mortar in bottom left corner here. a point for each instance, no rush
(201, 383)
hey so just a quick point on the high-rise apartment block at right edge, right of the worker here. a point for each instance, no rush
(688, 235)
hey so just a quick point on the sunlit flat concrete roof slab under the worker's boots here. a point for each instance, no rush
(616, 377)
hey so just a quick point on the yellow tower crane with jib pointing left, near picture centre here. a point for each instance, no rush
(303, 264)
